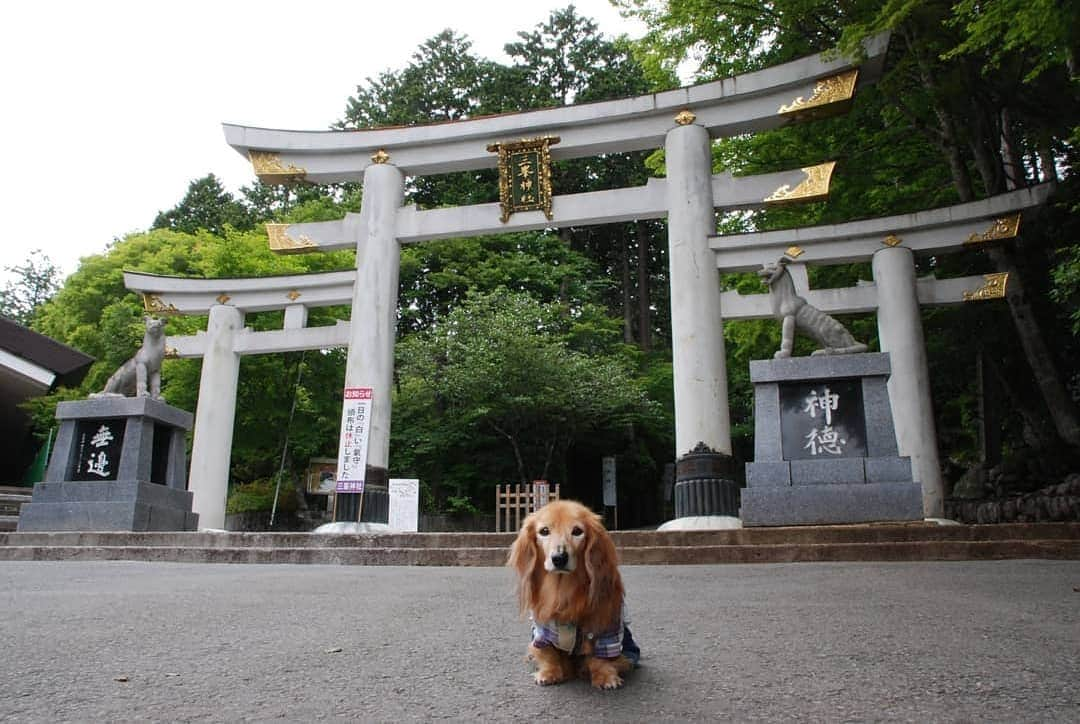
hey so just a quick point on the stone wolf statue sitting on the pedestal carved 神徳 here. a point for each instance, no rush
(796, 314)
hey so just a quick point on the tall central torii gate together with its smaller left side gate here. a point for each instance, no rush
(682, 122)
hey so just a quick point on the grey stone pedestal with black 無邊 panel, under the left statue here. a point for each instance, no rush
(119, 464)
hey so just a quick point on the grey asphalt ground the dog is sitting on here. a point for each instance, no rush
(830, 642)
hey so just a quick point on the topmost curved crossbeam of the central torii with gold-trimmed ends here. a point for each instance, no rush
(807, 88)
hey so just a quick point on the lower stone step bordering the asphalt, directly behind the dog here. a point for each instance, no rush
(934, 551)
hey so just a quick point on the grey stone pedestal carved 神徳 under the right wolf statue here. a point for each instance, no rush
(825, 445)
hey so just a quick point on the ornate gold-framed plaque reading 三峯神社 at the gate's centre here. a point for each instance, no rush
(525, 176)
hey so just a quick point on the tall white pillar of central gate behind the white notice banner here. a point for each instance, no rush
(371, 361)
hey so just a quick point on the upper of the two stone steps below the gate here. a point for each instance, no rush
(624, 540)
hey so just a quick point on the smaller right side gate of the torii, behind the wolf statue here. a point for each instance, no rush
(889, 244)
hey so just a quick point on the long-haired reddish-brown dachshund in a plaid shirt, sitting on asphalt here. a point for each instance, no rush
(571, 588)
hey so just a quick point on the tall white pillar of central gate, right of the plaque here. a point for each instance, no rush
(699, 366)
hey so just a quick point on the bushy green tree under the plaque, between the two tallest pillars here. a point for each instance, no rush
(498, 372)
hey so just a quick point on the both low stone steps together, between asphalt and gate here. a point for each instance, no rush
(858, 543)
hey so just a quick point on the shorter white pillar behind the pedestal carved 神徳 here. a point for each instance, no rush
(900, 330)
